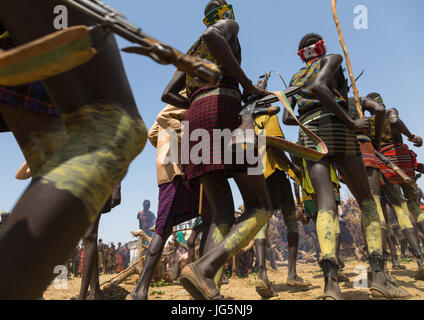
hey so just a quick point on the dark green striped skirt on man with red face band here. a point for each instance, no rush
(339, 139)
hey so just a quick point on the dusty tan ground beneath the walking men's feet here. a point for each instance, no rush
(244, 288)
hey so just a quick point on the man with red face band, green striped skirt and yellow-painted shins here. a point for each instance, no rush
(323, 104)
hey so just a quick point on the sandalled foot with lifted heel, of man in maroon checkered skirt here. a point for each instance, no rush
(192, 282)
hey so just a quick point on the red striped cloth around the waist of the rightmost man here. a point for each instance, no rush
(404, 158)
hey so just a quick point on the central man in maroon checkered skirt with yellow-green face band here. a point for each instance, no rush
(218, 108)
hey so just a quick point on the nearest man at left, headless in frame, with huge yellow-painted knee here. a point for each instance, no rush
(88, 152)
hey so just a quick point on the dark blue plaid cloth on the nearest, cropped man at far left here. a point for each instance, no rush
(31, 96)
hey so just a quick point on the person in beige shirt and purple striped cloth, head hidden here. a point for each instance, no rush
(177, 202)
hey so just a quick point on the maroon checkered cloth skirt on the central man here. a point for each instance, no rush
(209, 113)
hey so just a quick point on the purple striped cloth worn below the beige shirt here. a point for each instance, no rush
(177, 201)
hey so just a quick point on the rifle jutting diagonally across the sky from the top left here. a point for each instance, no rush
(116, 22)
